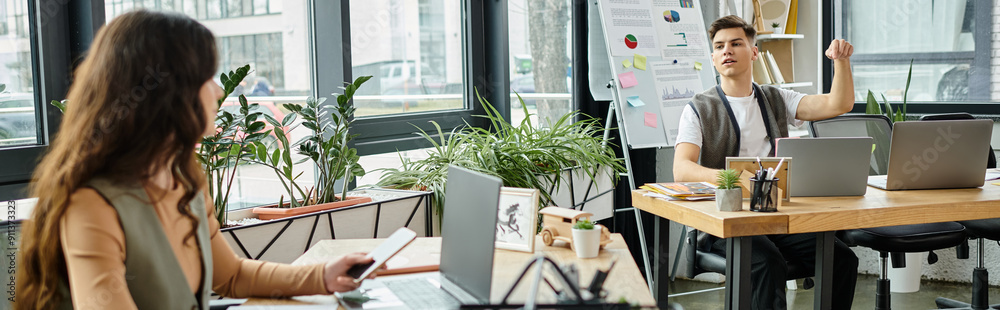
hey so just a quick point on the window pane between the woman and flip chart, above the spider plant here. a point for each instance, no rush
(418, 44)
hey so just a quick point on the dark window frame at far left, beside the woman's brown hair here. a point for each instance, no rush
(53, 47)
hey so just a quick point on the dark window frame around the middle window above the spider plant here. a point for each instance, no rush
(485, 55)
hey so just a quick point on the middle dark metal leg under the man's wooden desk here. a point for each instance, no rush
(738, 282)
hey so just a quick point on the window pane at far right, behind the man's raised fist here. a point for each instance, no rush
(948, 41)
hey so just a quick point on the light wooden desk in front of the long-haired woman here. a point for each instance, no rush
(623, 281)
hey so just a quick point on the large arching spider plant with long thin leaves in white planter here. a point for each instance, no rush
(522, 155)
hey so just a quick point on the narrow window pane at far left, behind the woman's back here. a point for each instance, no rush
(19, 119)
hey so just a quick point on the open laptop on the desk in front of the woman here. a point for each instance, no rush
(467, 244)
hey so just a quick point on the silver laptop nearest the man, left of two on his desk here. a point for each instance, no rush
(827, 166)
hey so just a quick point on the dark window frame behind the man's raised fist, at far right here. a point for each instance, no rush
(979, 61)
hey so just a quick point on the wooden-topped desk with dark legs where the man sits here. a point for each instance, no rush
(822, 215)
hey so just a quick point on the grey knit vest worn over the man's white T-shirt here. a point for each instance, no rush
(720, 131)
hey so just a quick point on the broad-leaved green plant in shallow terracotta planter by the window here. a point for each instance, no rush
(327, 146)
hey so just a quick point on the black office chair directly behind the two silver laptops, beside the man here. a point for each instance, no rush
(891, 241)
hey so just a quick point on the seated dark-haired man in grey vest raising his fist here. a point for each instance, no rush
(741, 118)
